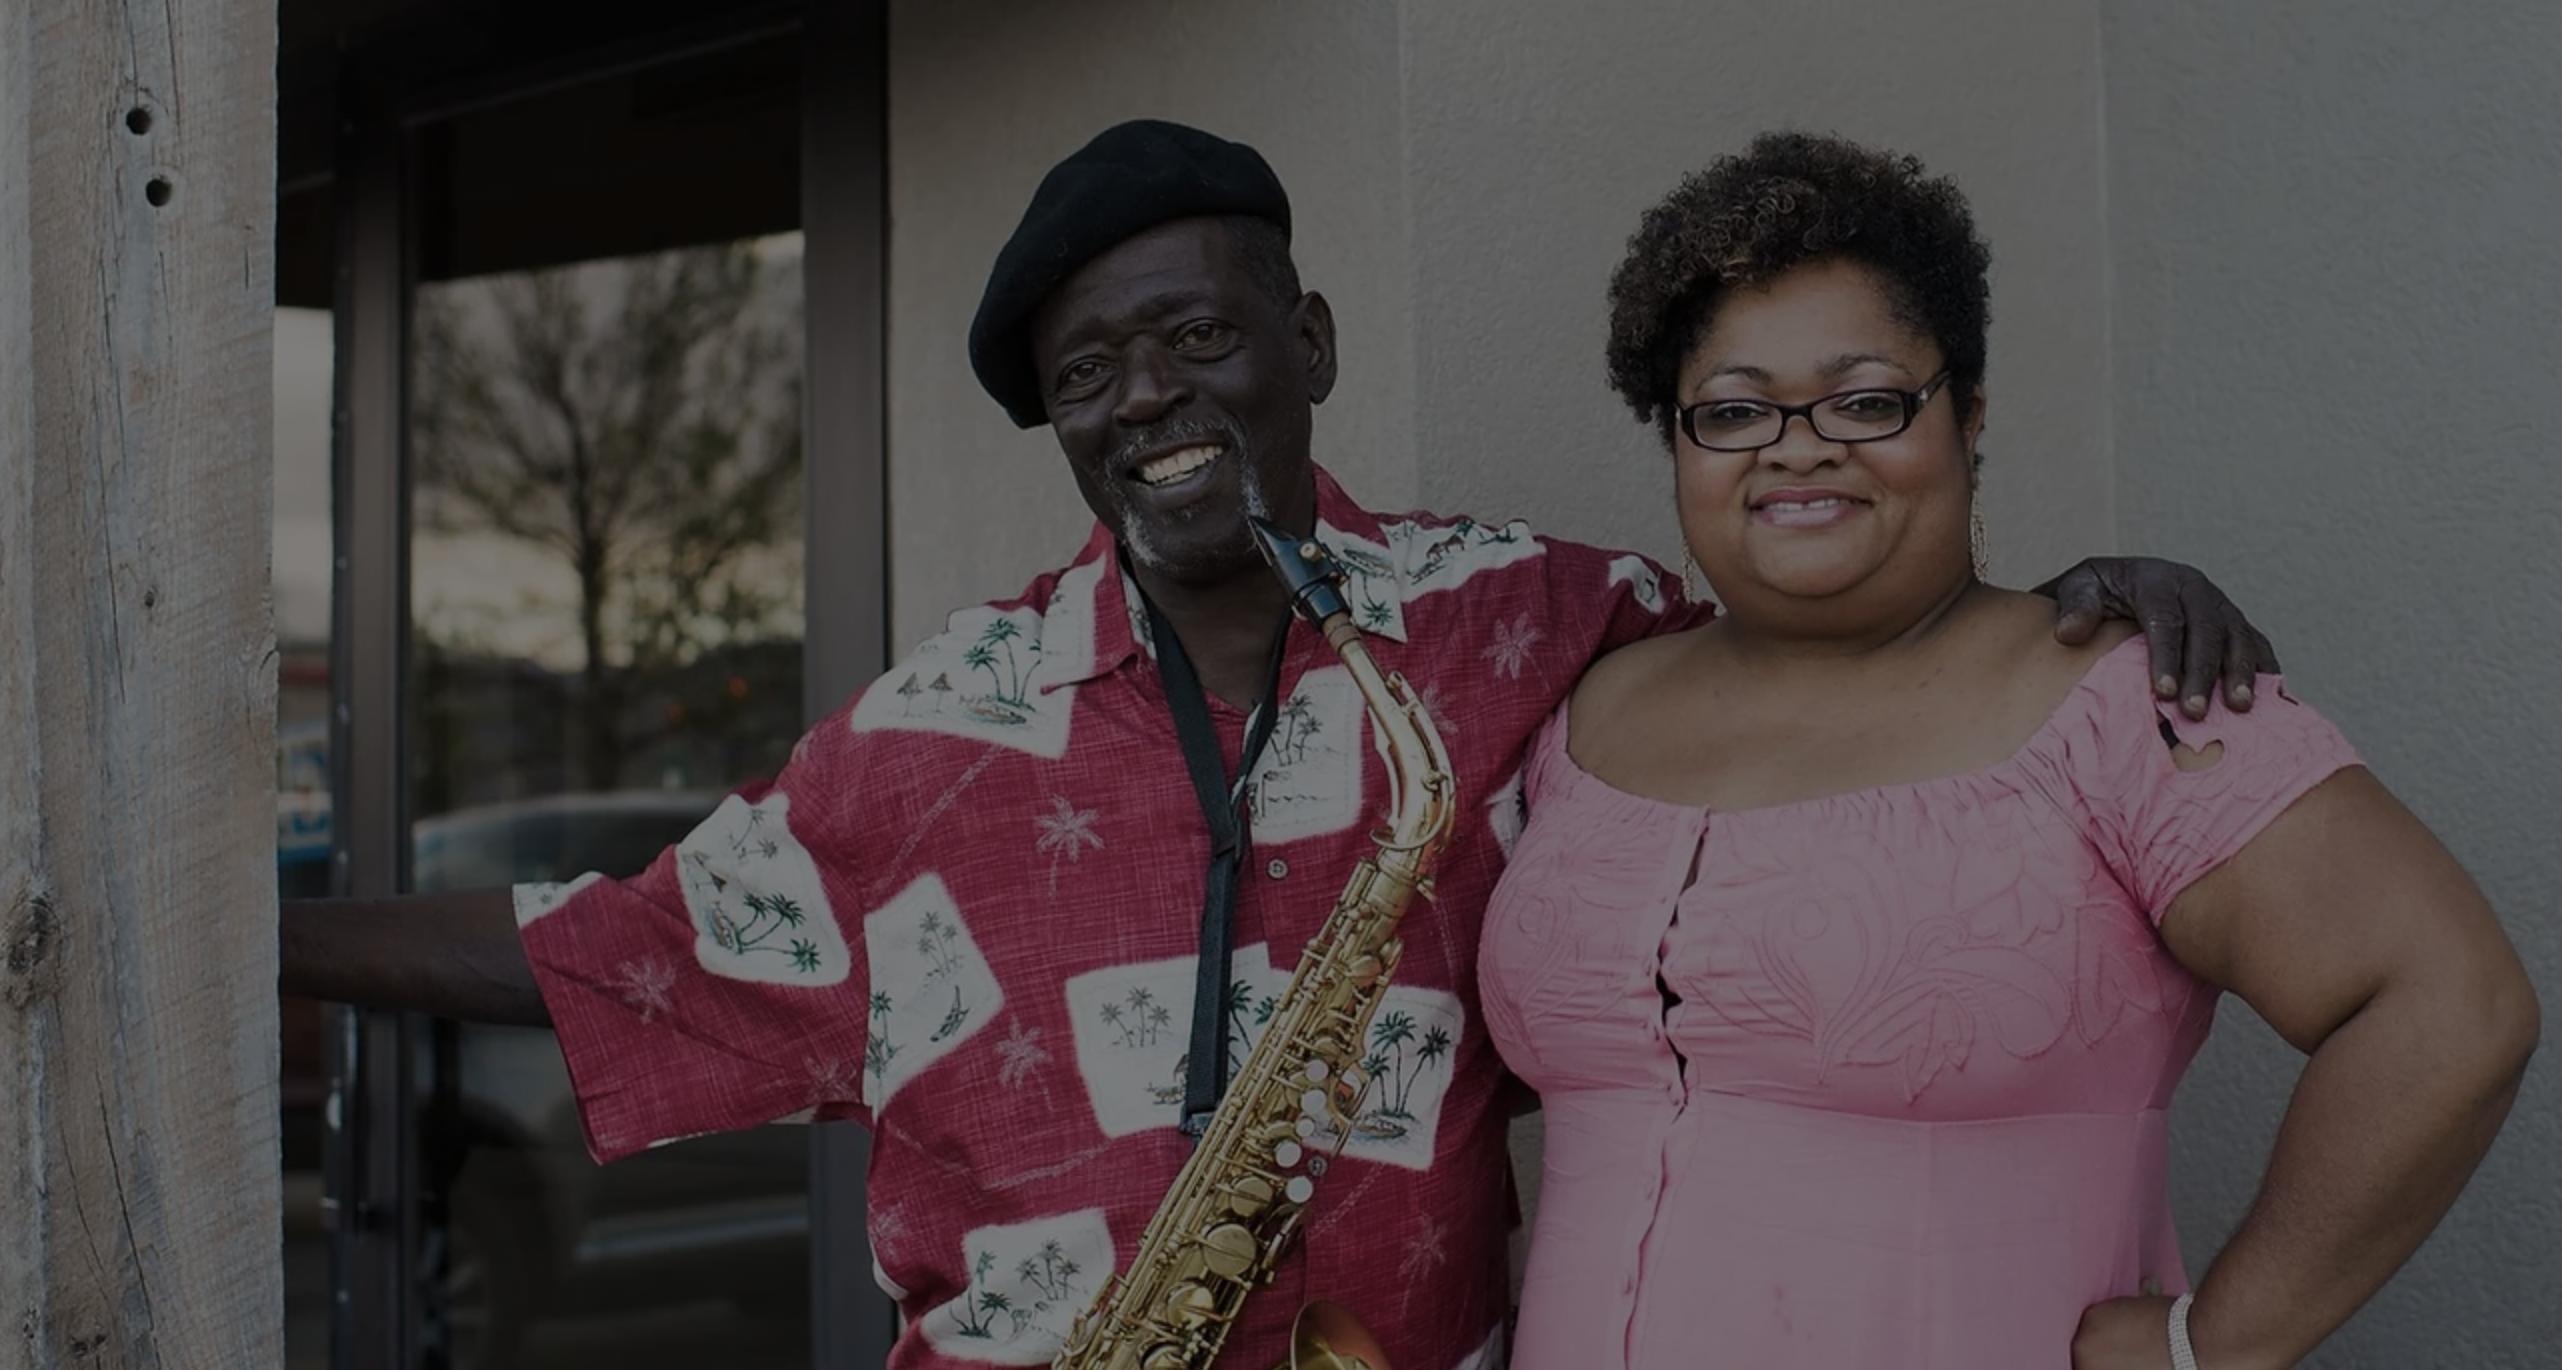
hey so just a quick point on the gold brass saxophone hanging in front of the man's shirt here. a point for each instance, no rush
(1236, 1205)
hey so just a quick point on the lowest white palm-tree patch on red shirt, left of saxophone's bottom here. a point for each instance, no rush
(1029, 1282)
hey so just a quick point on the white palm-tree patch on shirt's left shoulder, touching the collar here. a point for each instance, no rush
(998, 677)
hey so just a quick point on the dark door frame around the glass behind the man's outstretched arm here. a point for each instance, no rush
(383, 1064)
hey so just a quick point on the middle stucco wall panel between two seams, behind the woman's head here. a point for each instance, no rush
(1541, 132)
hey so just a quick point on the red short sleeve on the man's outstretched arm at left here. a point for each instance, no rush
(719, 990)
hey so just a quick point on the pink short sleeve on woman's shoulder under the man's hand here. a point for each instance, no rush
(2161, 826)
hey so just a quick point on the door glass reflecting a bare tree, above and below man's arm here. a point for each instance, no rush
(606, 636)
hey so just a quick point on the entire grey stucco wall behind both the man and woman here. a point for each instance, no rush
(2274, 291)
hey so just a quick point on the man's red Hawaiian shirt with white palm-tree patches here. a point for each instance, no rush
(967, 915)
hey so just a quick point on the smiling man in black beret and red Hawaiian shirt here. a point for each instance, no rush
(975, 913)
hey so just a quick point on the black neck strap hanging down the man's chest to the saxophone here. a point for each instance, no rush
(1223, 813)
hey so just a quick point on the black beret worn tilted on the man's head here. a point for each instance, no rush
(1129, 181)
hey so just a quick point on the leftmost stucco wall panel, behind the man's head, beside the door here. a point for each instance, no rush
(983, 99)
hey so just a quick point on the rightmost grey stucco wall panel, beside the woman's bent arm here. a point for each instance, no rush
(2335, 329)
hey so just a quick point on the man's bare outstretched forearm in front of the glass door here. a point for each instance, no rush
(439, 954)
